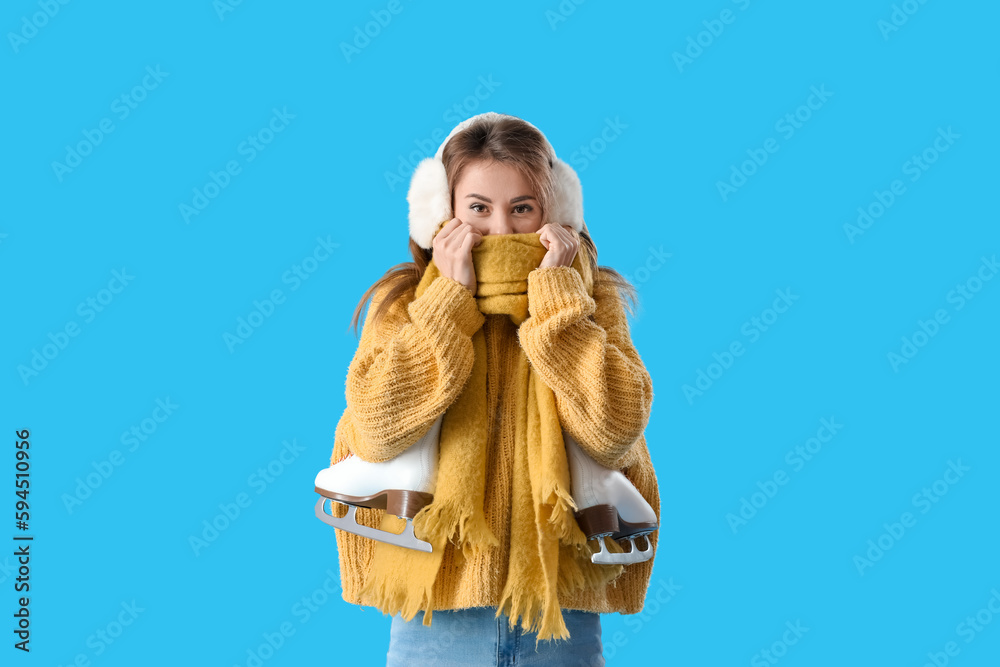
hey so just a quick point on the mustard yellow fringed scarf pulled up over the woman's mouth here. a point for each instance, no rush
(549, 554)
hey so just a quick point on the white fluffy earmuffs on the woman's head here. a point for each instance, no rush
(430, 198)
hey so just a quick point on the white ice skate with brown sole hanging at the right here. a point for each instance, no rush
(610, 505)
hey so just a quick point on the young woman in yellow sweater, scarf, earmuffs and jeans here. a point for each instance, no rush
(504, 340)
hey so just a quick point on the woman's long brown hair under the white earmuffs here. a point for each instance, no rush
(509, 140)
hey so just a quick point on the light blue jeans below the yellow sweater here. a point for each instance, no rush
(474, 637)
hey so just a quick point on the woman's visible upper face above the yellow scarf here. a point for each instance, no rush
(496, 199)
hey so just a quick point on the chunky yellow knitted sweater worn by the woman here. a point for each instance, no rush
(407, 372)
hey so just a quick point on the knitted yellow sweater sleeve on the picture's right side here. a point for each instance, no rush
(603, 391)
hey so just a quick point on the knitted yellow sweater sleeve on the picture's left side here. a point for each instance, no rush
(407, 371)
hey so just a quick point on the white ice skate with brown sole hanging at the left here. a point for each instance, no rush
(401, 486)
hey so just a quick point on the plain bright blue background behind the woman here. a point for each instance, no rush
(652, 190)
